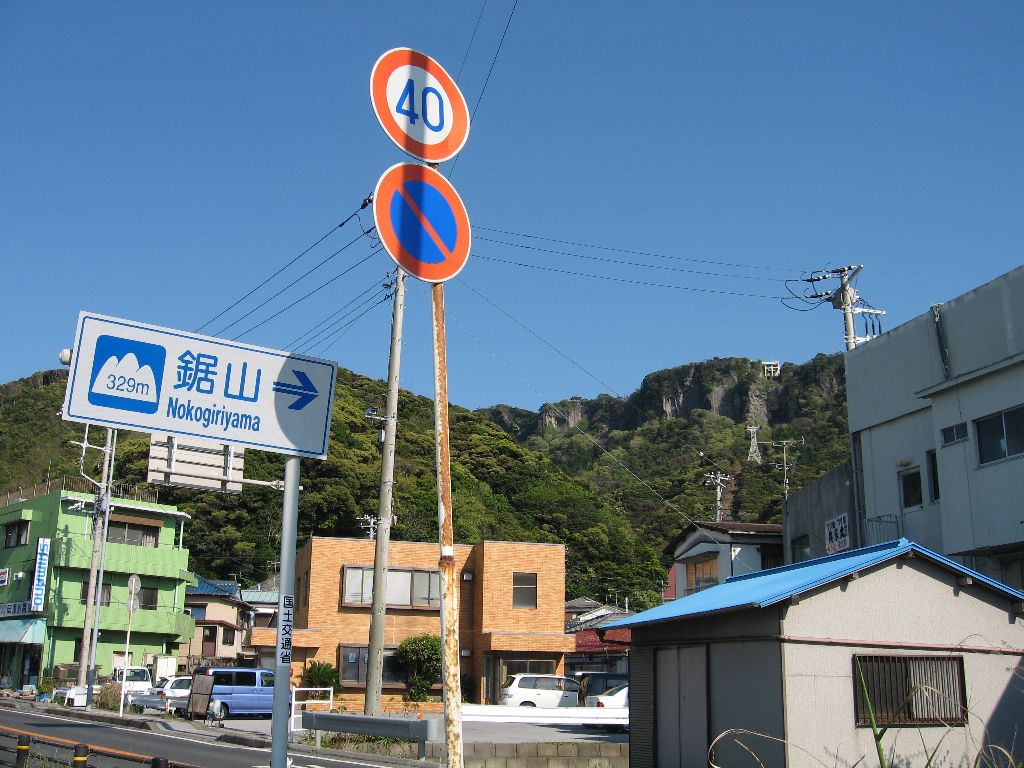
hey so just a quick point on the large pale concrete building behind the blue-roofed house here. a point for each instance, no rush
(936, 411)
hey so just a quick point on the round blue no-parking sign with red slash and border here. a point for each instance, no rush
(422, 222)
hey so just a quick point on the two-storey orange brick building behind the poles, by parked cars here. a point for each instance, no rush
(511, 610)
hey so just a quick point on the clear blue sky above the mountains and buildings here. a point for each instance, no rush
(159, 161)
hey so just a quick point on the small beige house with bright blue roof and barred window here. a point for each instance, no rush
(783, 665)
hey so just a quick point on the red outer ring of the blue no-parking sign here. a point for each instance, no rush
(388, 186)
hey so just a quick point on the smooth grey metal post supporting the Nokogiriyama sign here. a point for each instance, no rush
(286, 608)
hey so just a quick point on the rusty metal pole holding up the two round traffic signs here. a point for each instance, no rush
(451, 679)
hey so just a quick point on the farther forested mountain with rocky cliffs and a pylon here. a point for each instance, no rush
(648, 455)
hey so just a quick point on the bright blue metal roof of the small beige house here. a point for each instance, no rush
(765, 588)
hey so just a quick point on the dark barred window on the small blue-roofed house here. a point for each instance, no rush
(911, 691)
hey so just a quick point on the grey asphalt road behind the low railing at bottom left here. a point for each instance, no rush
(139, 747)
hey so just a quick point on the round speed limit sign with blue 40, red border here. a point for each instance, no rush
(419, 106)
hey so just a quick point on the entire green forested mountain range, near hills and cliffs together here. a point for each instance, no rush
(613, 479)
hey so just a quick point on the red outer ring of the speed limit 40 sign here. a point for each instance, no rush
(389, 63)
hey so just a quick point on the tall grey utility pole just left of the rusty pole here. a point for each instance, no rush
(375, 668)
